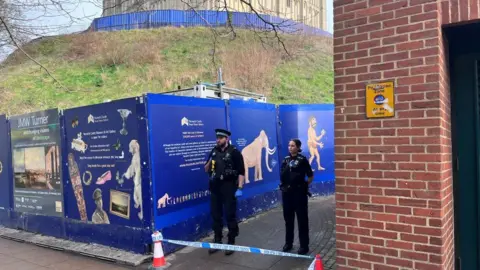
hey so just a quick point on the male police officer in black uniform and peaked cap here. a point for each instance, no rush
(227, 174)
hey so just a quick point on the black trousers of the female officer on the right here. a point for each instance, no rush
(295, 201)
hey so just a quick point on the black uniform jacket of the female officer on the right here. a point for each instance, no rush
(294, 170)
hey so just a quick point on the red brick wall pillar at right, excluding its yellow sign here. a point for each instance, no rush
(394, 176)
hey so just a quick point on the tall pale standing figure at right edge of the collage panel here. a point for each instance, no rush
(135, 171)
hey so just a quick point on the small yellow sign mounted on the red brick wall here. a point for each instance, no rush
(380, 100)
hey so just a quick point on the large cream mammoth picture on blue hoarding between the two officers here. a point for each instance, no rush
(252, 156)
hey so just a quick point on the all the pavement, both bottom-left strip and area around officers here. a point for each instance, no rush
(265, 231)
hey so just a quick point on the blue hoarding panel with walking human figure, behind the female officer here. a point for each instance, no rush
(314, 126)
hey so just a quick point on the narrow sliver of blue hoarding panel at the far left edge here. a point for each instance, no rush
(5, 165)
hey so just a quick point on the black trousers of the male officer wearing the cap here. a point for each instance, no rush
(223, 196)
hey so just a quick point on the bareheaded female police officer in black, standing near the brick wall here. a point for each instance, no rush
(295, 195)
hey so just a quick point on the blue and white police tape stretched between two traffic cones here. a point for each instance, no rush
(157, 236)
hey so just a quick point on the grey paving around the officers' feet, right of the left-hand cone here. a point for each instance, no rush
(267, 231)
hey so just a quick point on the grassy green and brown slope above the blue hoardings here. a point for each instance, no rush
(93, 67)
